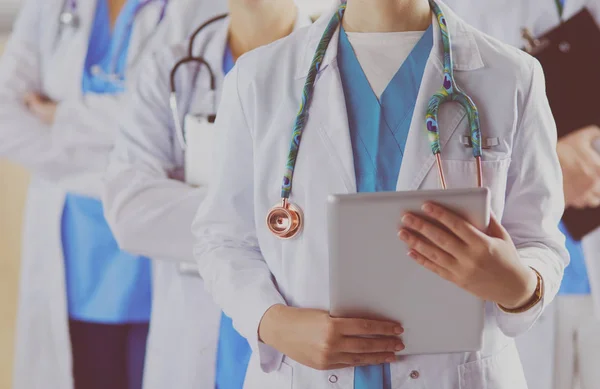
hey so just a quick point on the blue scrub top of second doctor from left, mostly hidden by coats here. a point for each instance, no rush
(233, 352)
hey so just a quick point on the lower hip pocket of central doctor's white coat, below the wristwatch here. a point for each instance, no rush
(502, 370)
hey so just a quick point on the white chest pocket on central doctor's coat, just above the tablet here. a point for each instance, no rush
(463, 174)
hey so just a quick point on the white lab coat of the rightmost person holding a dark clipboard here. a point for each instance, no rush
(537, 347)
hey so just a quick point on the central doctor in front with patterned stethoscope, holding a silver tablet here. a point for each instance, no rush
(340, 107)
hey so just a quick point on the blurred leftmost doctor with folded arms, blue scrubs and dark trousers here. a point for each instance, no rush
(84, 304)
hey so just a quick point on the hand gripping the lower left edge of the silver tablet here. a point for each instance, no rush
(313, 338)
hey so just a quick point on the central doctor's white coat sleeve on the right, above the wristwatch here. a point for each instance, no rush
(534, 201)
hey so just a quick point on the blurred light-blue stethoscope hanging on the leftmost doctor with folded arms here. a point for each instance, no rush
(69, 17)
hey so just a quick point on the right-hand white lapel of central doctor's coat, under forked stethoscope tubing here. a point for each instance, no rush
(418, 157)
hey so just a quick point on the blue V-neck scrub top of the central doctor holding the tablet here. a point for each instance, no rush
(378, 131)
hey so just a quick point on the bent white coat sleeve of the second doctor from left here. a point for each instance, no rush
(149, 213)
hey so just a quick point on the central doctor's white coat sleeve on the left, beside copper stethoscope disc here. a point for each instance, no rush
(227, 248)
